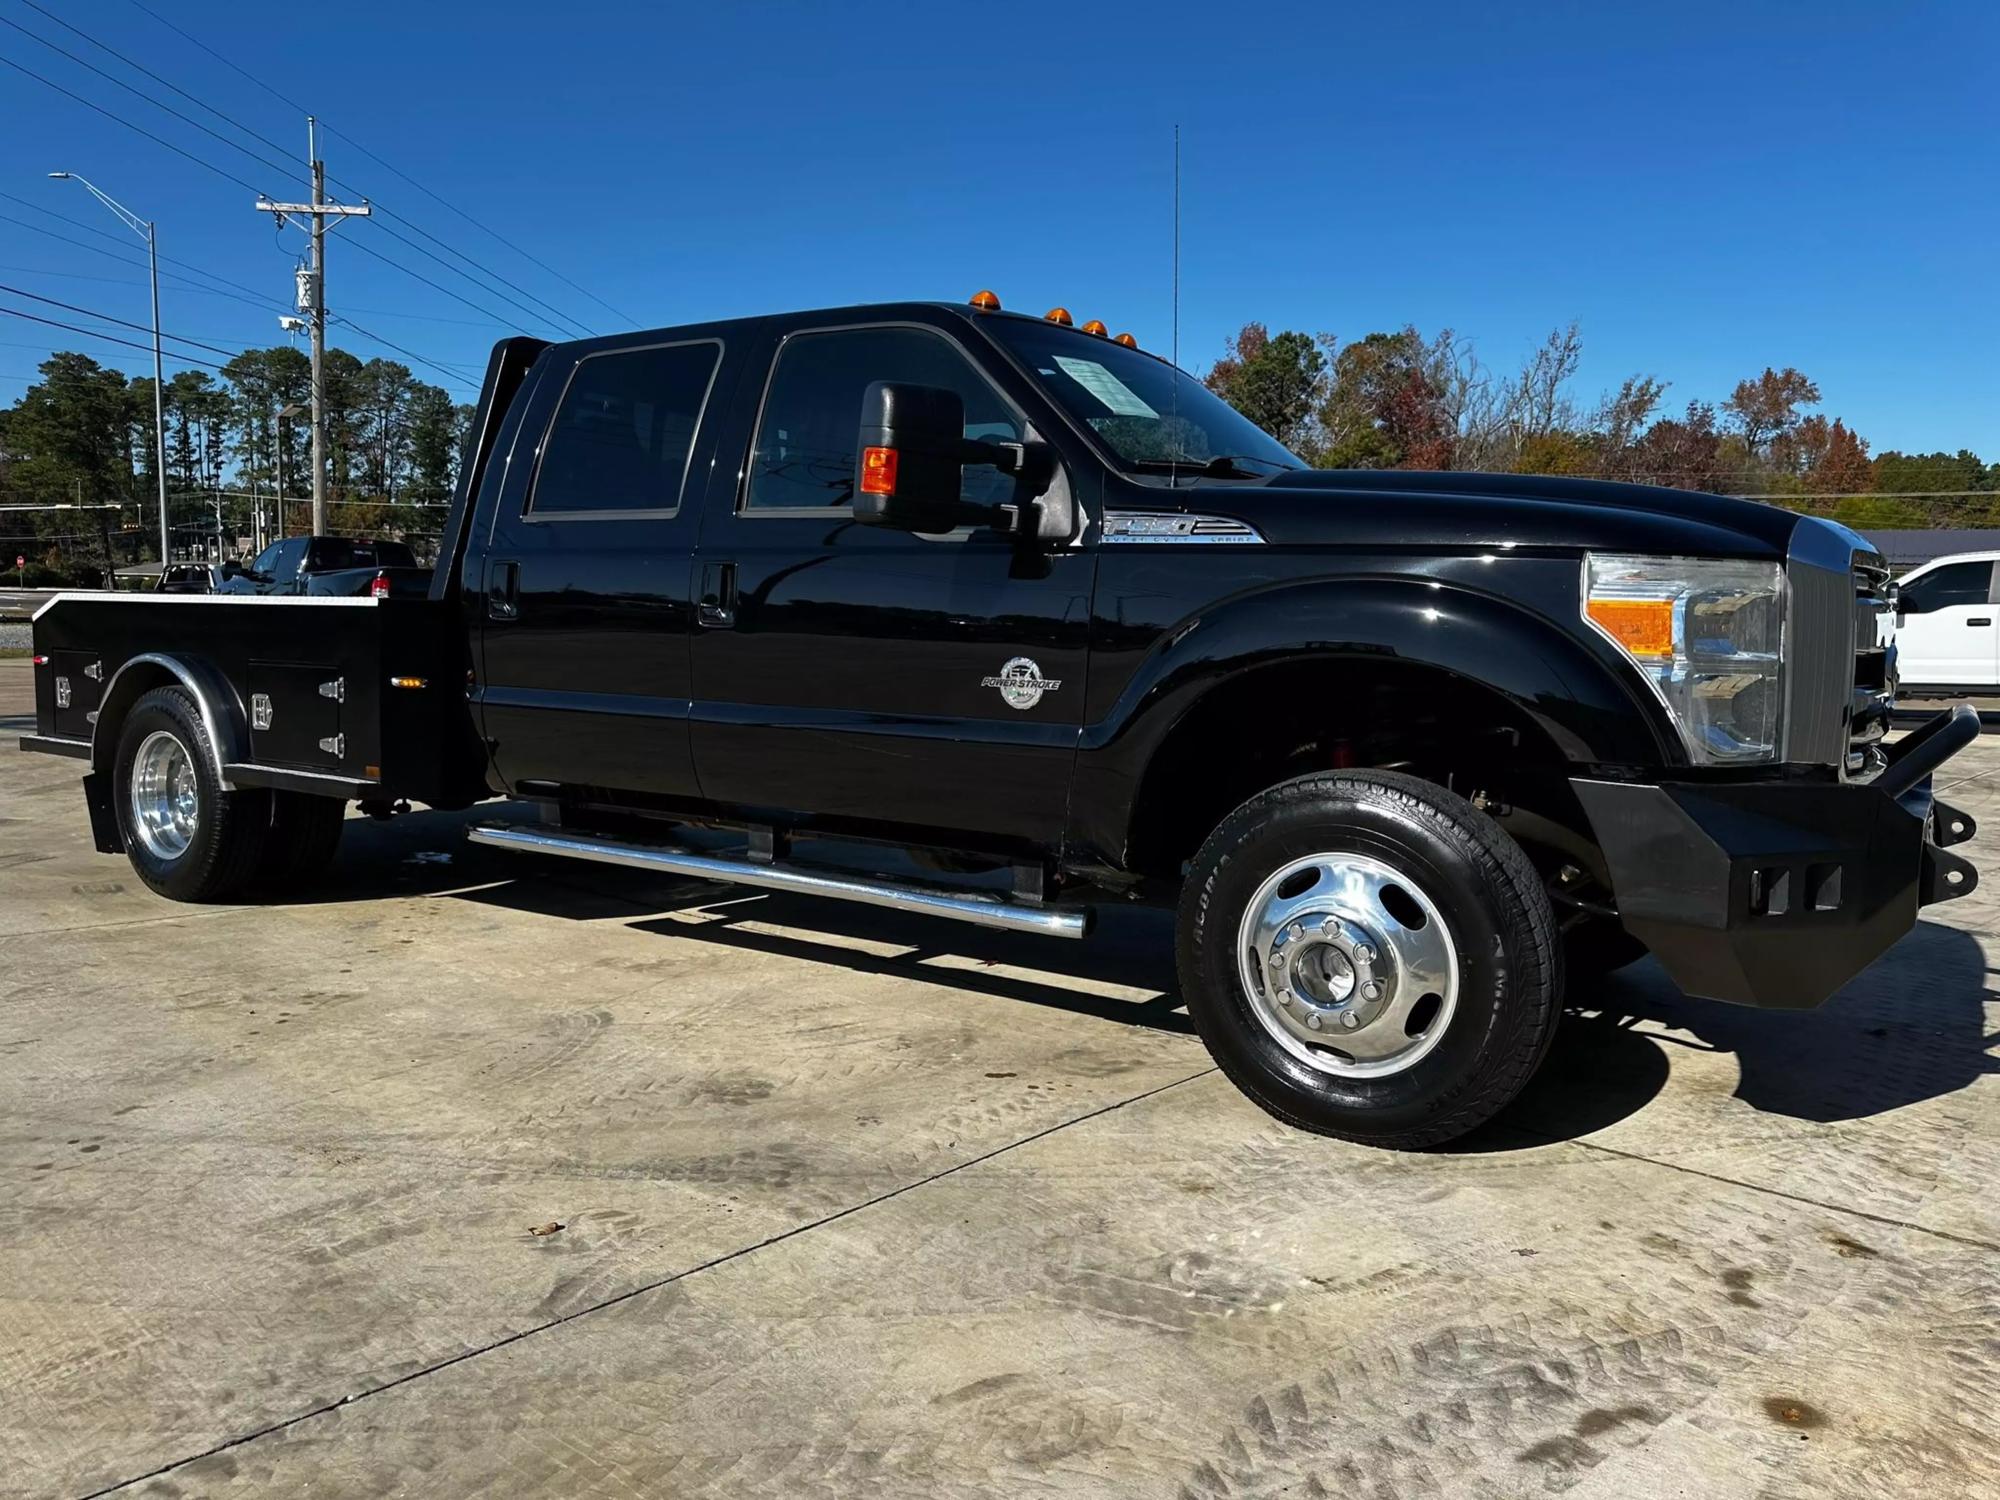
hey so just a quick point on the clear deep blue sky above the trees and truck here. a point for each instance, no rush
(1705, 189)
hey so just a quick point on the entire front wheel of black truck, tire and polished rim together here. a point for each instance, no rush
(1371, 957)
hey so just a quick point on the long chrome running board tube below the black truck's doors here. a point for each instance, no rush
(963, 907)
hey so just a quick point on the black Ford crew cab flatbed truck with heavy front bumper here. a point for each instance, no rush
(1017, 607)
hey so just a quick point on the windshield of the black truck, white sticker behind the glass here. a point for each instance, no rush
(1143, 409)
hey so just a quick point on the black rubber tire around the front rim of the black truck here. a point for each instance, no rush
(1495, 911)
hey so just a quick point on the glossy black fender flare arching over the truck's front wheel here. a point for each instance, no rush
(1595, 711)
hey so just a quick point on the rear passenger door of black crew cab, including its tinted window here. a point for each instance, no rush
(583, 581)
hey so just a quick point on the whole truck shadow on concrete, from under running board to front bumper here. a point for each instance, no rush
(1909, 1029)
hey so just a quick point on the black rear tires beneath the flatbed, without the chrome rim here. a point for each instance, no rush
(227, 835)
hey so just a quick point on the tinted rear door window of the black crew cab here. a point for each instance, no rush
(625, 431)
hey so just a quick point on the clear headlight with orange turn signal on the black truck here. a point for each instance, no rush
(1709, 635)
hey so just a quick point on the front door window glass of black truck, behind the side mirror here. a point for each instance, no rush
(805, 445)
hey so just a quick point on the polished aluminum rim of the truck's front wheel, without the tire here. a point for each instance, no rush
(1349, 965)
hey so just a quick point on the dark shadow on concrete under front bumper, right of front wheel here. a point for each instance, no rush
(1909, 1029)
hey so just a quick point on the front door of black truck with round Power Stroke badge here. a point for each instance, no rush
(855, 673)
